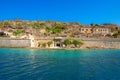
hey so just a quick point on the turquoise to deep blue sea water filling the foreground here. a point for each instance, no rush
(33, 64)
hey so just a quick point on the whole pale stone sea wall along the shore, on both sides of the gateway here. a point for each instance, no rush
(88, 43)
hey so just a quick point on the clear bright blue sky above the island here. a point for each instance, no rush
(82, 11)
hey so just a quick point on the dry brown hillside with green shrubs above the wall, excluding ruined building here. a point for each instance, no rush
(51, 28)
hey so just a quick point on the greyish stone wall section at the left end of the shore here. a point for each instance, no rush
(14, 43)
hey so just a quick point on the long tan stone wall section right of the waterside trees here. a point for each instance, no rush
(102, 43)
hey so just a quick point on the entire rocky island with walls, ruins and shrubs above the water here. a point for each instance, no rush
(58, 35)
